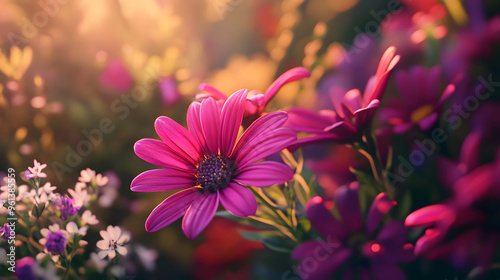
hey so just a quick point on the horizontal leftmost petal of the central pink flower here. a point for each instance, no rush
(162, 180)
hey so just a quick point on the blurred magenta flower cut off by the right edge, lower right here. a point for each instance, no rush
(463, 230)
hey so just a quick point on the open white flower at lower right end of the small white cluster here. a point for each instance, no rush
(112, 242)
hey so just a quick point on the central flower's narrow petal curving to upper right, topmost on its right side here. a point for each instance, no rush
(262, 125)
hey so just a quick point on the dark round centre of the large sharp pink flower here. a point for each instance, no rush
(214, 173)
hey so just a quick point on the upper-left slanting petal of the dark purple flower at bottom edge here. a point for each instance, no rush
(323, 221)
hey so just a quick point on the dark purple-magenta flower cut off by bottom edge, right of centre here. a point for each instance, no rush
(350, 242)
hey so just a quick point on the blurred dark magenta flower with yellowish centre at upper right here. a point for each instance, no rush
(420, 102)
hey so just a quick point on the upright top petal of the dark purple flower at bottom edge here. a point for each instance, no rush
(347, 203)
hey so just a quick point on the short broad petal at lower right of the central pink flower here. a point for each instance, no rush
(238, 200)
